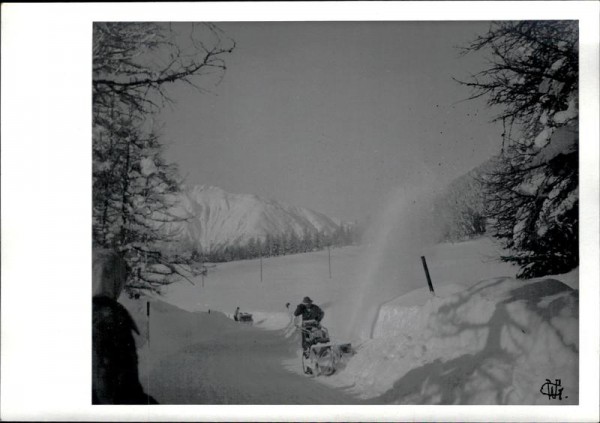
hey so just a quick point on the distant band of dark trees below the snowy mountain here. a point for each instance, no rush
(280, 245)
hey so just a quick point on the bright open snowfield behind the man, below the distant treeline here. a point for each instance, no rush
(352, 294)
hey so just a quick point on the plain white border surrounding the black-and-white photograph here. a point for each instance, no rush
(46, 206)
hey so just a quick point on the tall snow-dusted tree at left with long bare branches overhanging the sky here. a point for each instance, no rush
(134, 188)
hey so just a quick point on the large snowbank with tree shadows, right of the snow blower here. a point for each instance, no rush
(494, 343)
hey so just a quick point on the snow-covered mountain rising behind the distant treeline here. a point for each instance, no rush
(218, 218)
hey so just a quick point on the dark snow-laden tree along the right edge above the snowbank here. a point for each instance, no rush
(533, 190)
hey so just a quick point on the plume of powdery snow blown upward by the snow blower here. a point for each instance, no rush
(397, 239)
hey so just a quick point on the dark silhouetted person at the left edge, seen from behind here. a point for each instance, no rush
(115, 378)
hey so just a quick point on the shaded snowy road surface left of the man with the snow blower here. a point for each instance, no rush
(202, 358)
